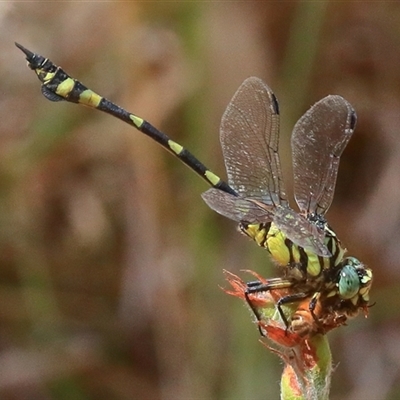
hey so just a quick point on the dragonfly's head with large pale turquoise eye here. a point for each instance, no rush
(354, 281)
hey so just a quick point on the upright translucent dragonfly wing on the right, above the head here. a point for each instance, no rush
(318, 140)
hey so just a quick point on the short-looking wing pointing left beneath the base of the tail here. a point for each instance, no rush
(236, 208)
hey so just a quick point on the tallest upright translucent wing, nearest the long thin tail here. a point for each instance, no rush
(249, 138)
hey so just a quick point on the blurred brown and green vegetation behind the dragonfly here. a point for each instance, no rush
(110, 262)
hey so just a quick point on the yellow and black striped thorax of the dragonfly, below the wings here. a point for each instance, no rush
(304, 263)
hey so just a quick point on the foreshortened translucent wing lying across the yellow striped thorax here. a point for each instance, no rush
(301, 231)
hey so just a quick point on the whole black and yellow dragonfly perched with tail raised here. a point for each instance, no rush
(311, 258)
